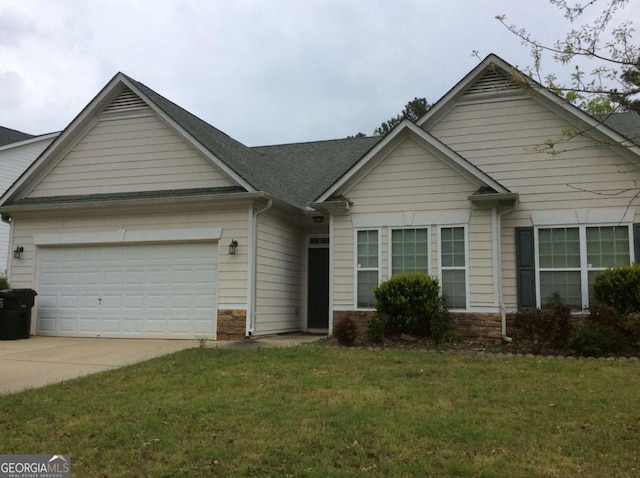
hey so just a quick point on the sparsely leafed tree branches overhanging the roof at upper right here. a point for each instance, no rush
(614, 83)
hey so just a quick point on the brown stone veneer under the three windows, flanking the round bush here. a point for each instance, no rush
(470, 326)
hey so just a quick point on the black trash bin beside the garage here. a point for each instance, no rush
(15, 313)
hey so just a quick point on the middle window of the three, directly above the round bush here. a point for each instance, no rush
(409, 250)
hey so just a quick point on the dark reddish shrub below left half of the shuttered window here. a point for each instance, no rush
(544, 328)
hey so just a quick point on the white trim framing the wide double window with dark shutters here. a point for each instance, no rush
(584, 268)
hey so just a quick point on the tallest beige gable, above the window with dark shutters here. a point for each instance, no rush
(500, 121)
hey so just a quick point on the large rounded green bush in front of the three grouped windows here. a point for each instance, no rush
(409, 303)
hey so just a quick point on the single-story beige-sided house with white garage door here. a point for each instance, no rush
(141, 220)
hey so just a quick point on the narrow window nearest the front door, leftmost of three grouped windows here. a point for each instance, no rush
(368, 267)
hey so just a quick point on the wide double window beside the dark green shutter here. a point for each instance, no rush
(570, 257)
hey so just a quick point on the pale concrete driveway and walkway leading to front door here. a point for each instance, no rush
(40, 361)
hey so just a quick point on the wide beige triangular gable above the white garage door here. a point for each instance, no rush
(122, 142)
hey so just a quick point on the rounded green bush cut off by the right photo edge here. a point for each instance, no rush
(619, 287)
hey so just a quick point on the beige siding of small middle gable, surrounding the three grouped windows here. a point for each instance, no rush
(410, 179)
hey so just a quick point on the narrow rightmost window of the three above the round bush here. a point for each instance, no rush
(453, 266)
